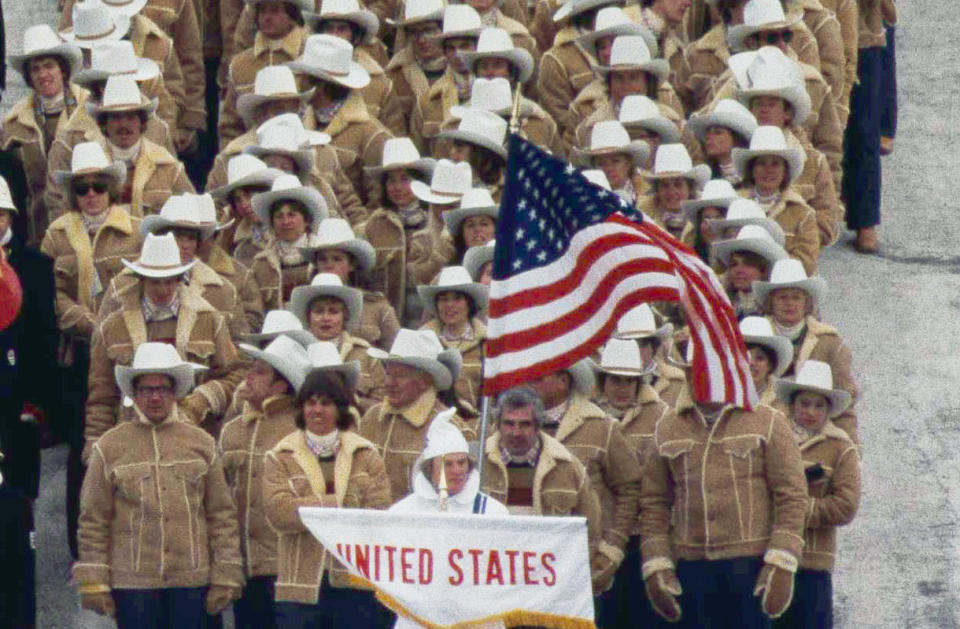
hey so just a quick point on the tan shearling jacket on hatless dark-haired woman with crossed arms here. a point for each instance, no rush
(293, 478)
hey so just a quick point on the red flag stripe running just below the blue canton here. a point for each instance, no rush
(546, 293)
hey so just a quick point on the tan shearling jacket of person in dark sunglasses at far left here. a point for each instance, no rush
(84, 267)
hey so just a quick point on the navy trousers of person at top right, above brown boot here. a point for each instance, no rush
(860, 187)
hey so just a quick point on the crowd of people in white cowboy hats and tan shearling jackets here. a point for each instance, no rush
(310, 329)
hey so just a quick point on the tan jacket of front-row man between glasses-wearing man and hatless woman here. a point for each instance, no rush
(243, 446)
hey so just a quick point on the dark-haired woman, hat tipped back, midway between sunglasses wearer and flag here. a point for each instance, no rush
(291, 211)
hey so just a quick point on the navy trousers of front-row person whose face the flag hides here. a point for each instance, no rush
(719, 594)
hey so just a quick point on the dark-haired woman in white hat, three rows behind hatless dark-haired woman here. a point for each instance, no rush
(338, 251)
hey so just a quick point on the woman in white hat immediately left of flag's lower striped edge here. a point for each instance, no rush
(457, 306)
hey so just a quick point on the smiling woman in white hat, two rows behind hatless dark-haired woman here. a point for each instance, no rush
(328, 309)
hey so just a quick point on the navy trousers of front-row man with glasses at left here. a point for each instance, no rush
(165, 608)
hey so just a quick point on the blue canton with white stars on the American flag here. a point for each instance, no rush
(545, 202)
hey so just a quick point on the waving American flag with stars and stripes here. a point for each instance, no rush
(571, 258)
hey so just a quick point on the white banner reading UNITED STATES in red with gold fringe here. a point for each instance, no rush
(444, 570)
